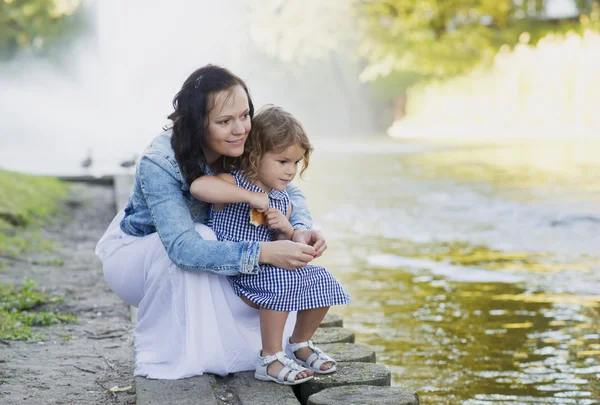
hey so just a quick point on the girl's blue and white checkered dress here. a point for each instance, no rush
(274, 288)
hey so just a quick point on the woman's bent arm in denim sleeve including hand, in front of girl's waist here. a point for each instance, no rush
(173, 222)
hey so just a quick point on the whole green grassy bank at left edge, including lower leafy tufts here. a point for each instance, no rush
(27, 203)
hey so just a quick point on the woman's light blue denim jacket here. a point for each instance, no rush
(161, 202)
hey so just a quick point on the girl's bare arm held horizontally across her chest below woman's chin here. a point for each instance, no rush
(221, 189)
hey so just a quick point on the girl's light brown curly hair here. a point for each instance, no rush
(273, 130)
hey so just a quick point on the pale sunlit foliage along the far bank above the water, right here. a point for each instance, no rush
(558, 74)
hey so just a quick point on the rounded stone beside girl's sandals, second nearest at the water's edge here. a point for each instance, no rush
(346, 374)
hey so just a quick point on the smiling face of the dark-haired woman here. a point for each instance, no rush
(228, 124)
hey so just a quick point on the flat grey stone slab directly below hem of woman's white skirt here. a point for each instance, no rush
(187, 391)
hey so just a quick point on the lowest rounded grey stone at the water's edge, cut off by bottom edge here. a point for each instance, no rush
(364, 395)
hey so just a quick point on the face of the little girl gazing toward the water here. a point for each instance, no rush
(277, 170)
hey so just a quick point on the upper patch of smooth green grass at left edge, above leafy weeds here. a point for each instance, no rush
(25, 201)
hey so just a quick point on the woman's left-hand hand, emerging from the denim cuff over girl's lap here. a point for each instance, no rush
(286, 254)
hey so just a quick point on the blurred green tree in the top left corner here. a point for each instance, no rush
(37, 24)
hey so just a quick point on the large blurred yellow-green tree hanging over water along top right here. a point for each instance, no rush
(398, 43)
